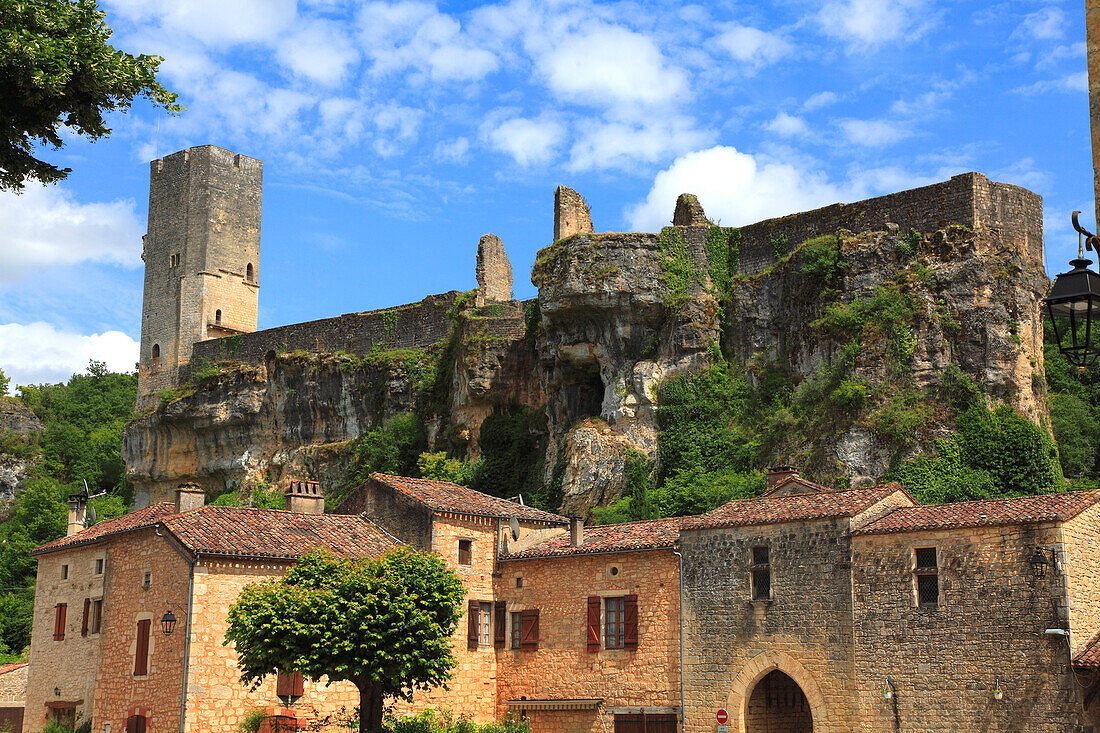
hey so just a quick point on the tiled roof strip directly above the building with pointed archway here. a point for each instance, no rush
(775, 510)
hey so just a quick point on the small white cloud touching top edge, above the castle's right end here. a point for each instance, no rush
(868, 24)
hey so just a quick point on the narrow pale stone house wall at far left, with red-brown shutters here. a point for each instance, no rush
(69, 665)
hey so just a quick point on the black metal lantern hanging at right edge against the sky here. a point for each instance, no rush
(1073, 304)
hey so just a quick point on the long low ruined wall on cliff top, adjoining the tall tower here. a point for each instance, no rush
(413, 326)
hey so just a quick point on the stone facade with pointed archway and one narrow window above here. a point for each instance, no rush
(806, 631)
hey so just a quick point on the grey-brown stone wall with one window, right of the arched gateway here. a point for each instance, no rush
(989, 623)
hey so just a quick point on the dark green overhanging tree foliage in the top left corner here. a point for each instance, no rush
(58, 70)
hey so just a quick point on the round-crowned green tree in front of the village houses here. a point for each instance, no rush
(384, 625)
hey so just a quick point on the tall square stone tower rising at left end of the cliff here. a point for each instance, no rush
(202, 259)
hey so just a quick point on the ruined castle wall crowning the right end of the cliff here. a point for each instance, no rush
(971, 200)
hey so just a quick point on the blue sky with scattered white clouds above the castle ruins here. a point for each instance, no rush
(395, 135)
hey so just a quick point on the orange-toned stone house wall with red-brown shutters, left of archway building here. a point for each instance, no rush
(563, 668)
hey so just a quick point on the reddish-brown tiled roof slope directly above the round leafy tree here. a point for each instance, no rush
(244, 532)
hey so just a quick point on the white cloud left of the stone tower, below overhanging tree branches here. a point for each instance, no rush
(47, 227)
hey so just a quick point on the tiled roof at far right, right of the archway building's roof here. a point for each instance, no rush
(993, 512)
